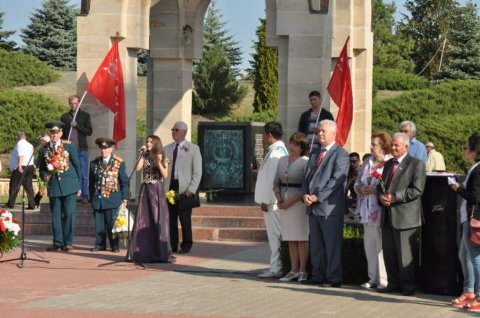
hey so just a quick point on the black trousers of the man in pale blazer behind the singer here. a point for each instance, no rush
(185, 221)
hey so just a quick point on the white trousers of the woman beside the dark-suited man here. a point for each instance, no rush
(372, 242)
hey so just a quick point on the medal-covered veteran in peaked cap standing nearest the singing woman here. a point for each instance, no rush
(108, 186)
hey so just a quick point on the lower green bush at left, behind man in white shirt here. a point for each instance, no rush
(27, 112)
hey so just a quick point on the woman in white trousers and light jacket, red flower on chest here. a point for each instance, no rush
(367, 205)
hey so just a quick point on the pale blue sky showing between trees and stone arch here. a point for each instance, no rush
(242, 18)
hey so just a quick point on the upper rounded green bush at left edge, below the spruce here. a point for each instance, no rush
(19, 69)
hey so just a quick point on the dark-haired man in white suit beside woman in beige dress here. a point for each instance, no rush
(265, 196)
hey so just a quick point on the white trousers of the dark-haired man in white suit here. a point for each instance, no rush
(272, 222)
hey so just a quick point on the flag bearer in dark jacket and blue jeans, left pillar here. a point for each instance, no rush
(77, 128)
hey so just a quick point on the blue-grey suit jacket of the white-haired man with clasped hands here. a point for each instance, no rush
(328, 183)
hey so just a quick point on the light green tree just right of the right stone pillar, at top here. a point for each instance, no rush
(391, 48)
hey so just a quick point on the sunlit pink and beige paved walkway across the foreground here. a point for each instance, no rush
(215, 280)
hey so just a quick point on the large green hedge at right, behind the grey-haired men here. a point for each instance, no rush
(445, 114)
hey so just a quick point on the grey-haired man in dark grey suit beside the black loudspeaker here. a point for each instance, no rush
(403, 183)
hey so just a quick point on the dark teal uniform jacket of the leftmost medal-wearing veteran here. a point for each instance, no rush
(67, 182)
